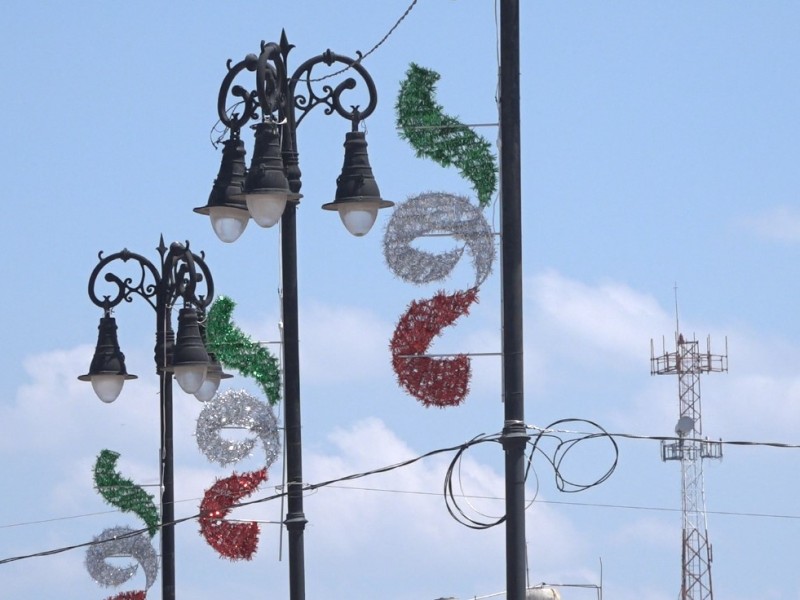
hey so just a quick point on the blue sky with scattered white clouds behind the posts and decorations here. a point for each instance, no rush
(659, 148)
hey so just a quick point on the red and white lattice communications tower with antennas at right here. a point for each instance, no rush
(691, 449)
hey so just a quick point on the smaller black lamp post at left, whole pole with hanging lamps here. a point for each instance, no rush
(173, 282)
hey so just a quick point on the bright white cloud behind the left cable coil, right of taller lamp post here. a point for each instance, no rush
(406, 510)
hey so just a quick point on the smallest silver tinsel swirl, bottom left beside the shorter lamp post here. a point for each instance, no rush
(120, 542)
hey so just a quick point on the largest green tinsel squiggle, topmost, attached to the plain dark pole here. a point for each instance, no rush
(440, 137)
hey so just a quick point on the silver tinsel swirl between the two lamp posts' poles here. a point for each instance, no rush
(237, 409)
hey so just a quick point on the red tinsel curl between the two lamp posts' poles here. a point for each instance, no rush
(237, 541)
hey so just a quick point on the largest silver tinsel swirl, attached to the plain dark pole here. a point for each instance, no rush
(437, 213)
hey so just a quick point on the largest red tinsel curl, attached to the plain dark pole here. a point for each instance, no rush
(433, 381)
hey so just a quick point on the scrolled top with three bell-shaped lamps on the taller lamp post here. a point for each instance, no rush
(272, 183)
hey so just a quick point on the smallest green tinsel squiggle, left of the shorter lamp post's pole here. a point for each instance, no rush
(123, 493)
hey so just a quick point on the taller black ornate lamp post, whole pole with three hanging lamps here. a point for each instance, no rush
(269, 191)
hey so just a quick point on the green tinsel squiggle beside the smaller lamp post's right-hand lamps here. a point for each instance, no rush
(236, 350)
